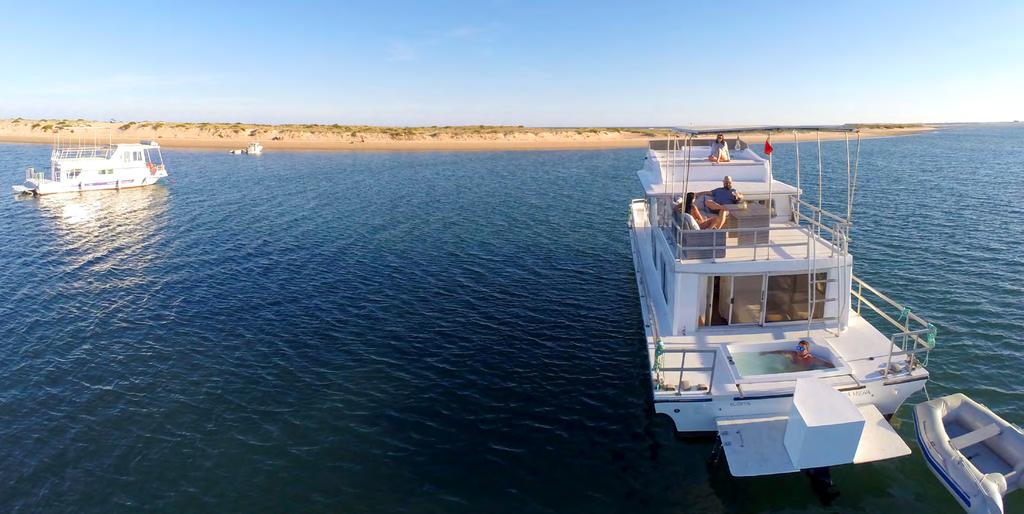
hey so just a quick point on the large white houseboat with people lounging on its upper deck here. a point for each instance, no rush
(726, 312)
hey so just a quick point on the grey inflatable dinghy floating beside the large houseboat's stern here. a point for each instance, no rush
(978, 456)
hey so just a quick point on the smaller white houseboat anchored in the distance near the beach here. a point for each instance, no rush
(78, 167)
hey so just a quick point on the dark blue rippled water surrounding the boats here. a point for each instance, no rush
(436, 332)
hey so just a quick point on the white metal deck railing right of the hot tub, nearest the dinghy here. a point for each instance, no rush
(916, 336)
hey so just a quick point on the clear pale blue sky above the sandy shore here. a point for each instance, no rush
(540, 64)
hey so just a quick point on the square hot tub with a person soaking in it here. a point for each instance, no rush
(774, 362)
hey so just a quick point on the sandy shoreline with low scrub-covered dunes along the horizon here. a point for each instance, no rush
(337, 138)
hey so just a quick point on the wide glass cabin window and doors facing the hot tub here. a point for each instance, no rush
(762, 298)
